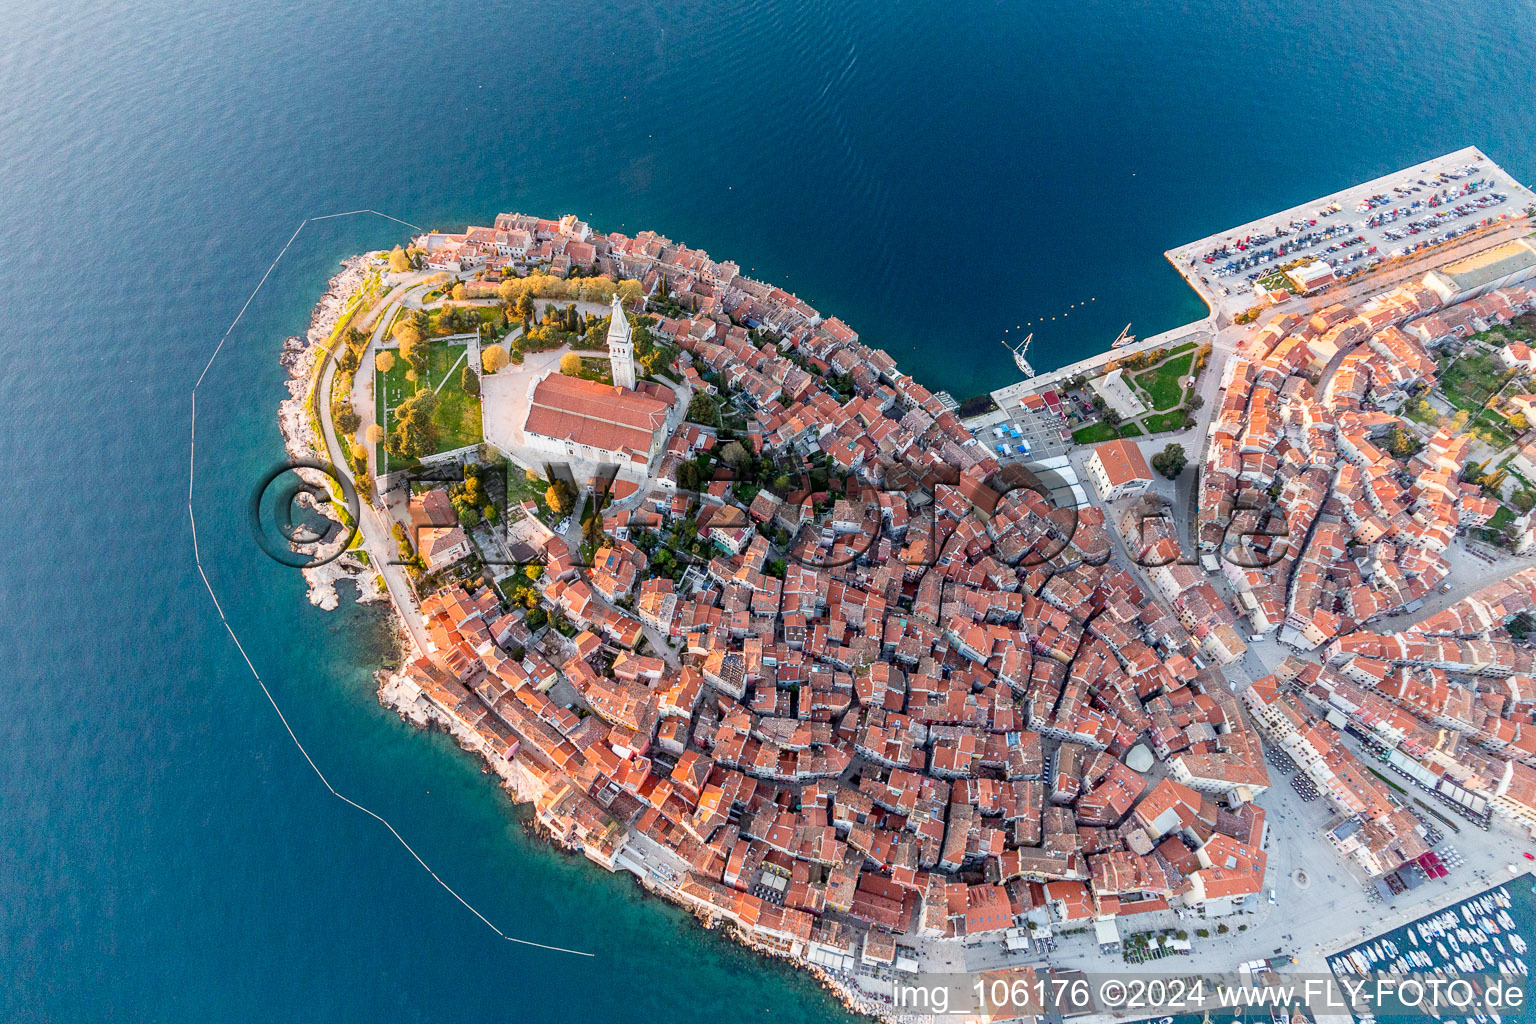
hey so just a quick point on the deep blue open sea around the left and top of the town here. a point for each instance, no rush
(933, 173)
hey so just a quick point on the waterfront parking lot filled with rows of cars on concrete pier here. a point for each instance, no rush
(1356, 230)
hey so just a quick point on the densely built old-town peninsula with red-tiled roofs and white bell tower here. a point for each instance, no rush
(1130, 661)
